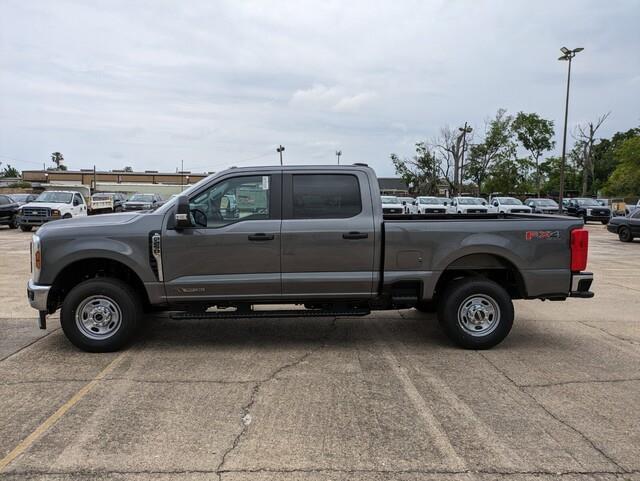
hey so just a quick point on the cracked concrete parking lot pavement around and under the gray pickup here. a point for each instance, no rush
(380, 397)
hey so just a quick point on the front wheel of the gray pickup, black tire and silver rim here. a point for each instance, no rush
(120, 300)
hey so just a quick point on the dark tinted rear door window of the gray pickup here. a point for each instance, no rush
(325, 196)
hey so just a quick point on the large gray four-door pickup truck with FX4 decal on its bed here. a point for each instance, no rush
(310, 237)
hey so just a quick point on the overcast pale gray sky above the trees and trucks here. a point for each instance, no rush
(219, 83)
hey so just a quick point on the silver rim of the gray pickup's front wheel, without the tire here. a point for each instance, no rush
(98, 317)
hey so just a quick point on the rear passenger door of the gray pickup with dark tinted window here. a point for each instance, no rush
(327, 257)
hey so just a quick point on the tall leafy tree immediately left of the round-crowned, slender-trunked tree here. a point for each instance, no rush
(496, 144)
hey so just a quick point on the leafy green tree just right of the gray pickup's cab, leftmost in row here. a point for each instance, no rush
(421, 170)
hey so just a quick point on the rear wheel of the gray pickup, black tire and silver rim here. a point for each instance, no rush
(476, 294)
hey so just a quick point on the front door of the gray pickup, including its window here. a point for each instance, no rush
(237, 255)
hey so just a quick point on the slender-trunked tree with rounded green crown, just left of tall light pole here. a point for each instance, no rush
(536, 136)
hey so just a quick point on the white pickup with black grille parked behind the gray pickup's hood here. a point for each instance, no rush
(51, 205)
